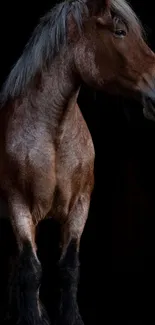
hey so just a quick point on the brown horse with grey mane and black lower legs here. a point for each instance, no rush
(46, 150)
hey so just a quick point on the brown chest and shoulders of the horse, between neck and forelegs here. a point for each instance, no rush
(52, 170)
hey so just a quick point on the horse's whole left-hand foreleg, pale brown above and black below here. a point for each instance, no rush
(24, 305)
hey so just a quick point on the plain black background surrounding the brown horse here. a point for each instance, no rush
(117, 247)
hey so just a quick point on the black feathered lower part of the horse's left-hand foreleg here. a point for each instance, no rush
(24, 306)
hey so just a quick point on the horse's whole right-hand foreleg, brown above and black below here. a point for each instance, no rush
(71, 231)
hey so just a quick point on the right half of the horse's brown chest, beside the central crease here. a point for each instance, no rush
(74, 170)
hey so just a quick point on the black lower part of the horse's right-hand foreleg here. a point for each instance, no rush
(69, 274)
